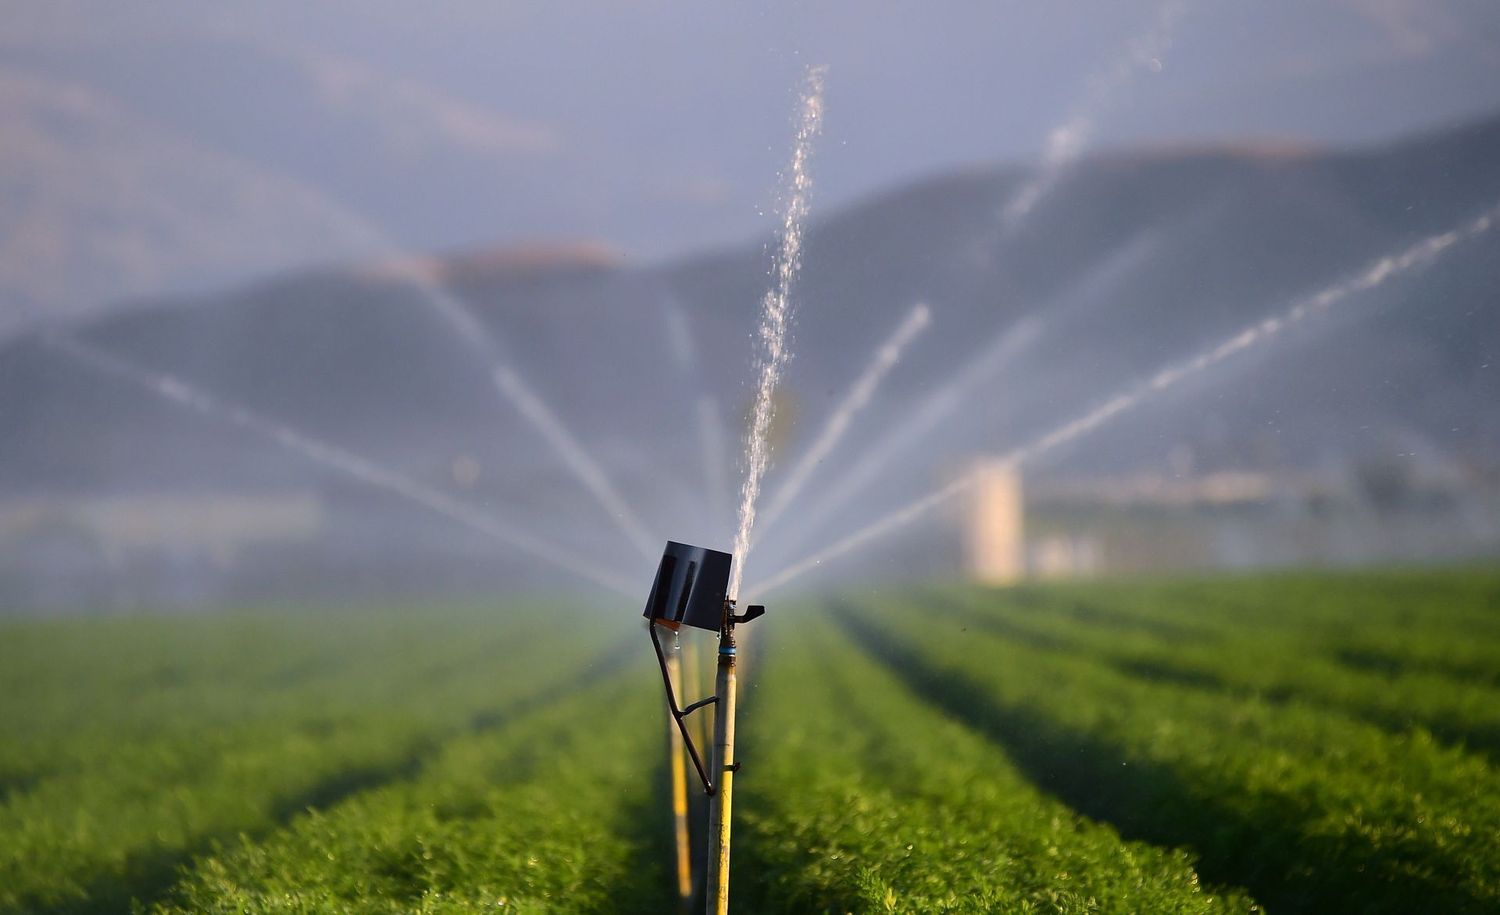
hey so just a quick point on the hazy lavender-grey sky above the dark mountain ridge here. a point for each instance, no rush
(334, 130)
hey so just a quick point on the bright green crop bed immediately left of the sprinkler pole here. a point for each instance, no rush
(562, 811)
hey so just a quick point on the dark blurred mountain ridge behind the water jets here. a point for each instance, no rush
(1129, 265)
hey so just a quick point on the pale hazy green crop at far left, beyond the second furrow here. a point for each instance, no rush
(79, 692)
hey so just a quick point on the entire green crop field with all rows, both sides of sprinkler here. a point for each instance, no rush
(1292, 743)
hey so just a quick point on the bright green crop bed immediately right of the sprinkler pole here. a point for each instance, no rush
(860, 797)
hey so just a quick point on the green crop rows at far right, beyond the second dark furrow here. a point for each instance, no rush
(1300, 646)
